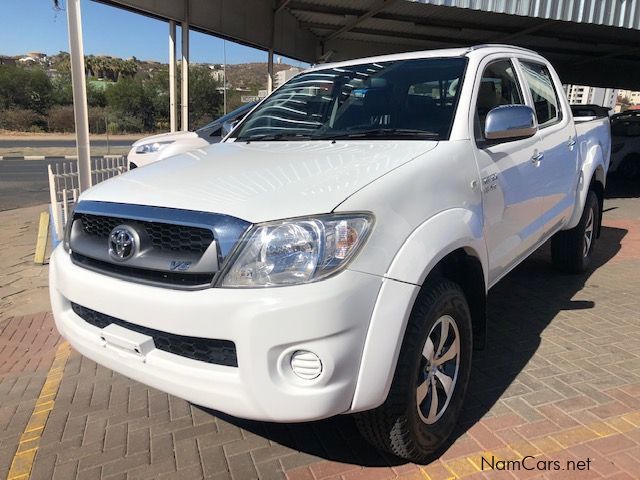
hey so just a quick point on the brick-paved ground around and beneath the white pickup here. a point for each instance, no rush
(559, 380)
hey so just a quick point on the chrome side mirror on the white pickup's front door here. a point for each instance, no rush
(510, 122)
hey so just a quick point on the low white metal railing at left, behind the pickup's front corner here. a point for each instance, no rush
(64, 187)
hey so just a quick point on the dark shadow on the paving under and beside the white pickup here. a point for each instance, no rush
(520, 307)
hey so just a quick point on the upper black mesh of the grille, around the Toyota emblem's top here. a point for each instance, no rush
(163, 236)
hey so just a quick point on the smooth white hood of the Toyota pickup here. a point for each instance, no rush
(261, 181)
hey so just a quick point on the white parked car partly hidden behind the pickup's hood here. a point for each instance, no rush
(158, 147)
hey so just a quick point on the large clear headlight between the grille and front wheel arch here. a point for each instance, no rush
(297, 251)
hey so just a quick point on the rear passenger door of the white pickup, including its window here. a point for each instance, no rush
(558, 165)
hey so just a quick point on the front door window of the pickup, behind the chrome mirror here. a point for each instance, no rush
(498, 86)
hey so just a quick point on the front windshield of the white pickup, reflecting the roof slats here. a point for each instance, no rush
(404, 98)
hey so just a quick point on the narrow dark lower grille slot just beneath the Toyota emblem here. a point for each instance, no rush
(143, 275)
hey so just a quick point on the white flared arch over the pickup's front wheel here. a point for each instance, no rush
(462, 261)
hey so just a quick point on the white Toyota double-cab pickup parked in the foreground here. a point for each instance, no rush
(333, 254)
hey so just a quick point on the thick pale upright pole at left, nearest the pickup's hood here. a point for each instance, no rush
(78, 82)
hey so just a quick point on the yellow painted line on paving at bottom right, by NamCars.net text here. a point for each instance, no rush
(463, 467)
